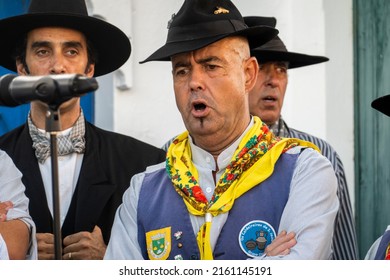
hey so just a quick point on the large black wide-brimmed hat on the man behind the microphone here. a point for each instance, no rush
(112, 45)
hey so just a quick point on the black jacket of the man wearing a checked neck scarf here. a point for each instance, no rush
(109, 162)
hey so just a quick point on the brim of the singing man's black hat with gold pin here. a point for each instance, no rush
(257, 36)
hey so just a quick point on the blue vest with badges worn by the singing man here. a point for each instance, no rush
(160, 206)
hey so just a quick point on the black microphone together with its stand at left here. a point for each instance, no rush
(54, 92)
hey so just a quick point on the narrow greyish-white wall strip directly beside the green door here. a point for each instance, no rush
(340, 83)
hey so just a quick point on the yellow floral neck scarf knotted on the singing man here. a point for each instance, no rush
(252, 163)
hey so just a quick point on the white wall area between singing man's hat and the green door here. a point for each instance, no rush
(319, 98)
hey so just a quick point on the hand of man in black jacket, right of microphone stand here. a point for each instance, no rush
(84, 246)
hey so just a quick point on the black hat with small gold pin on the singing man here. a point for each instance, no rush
(199, 23)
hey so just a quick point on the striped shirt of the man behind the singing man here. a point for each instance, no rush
(344, 238)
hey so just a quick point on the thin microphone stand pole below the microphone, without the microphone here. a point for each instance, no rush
(53, 126)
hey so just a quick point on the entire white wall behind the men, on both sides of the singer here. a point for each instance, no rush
(319, 98)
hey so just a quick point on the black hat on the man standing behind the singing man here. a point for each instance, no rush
(275, 50)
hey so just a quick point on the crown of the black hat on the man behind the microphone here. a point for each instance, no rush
(76, 7)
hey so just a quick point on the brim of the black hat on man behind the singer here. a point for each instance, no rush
(295, 60)
